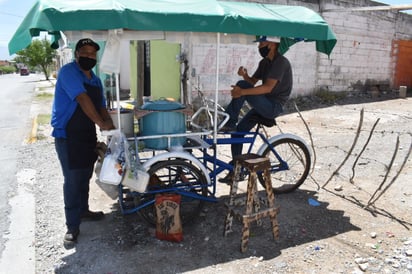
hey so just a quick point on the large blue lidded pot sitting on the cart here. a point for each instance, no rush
(166, 120)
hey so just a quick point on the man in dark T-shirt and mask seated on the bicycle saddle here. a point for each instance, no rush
(266, 99)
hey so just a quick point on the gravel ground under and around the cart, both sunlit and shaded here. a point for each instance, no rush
(336, 235)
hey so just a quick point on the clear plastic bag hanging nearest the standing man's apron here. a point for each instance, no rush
(114, 162)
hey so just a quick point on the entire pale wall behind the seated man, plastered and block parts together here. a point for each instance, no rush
(362, 57)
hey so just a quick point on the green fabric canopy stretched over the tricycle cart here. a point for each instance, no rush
(291, 23)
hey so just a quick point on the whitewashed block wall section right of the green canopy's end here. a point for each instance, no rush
(362, 56)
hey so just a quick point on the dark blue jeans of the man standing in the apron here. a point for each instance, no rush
(75, 187)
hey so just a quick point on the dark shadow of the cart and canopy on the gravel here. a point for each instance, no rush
(129, 244)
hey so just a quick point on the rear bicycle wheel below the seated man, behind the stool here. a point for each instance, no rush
(290, 163)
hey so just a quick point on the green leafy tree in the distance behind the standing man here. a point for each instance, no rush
(38, 54)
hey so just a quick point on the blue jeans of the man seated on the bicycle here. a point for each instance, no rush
(260, 104)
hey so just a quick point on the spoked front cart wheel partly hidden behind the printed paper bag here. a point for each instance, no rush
(170, 176)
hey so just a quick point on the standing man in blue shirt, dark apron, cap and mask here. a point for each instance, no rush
(78, 106)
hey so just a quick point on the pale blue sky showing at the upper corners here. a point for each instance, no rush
(12, 13)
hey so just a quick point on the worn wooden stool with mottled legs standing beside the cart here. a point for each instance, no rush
(253, 163)
